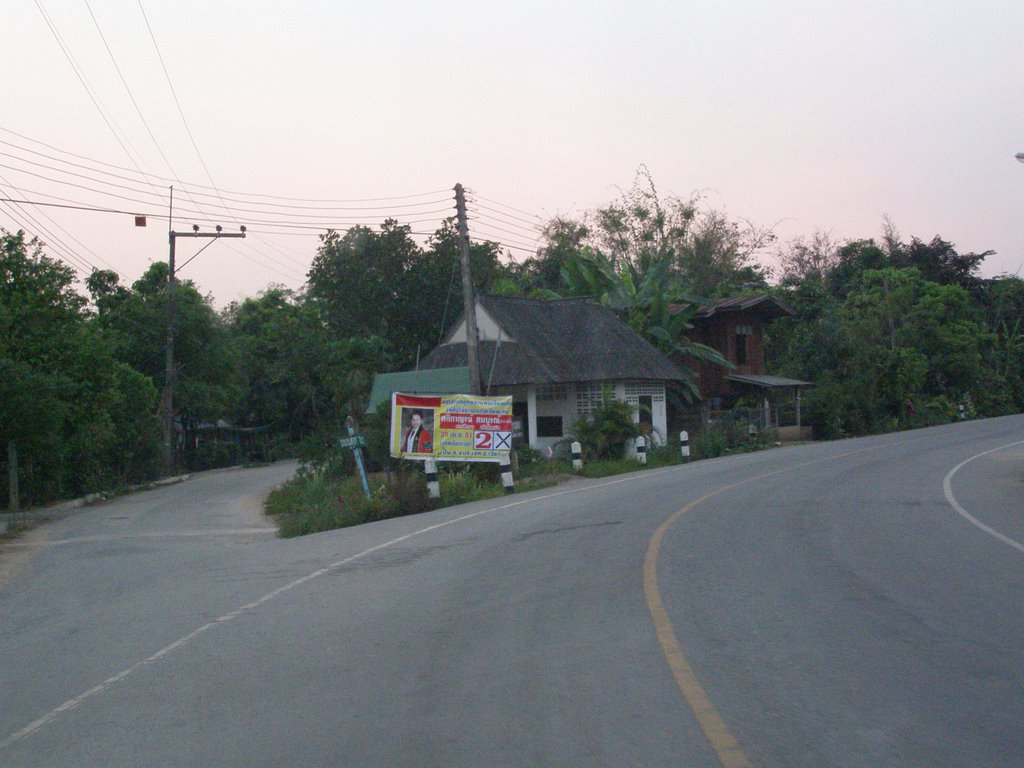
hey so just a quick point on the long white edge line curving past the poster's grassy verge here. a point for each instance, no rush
(183, 642)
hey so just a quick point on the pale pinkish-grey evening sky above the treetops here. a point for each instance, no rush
(802, 116)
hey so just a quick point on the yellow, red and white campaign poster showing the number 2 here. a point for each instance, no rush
(451, 428)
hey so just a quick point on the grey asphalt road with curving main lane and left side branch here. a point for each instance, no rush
(855, 604)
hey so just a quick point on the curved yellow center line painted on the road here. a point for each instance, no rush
(731, 754)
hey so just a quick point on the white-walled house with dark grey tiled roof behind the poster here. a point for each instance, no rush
(558, 359)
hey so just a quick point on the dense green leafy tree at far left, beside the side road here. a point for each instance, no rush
(81, 419)
